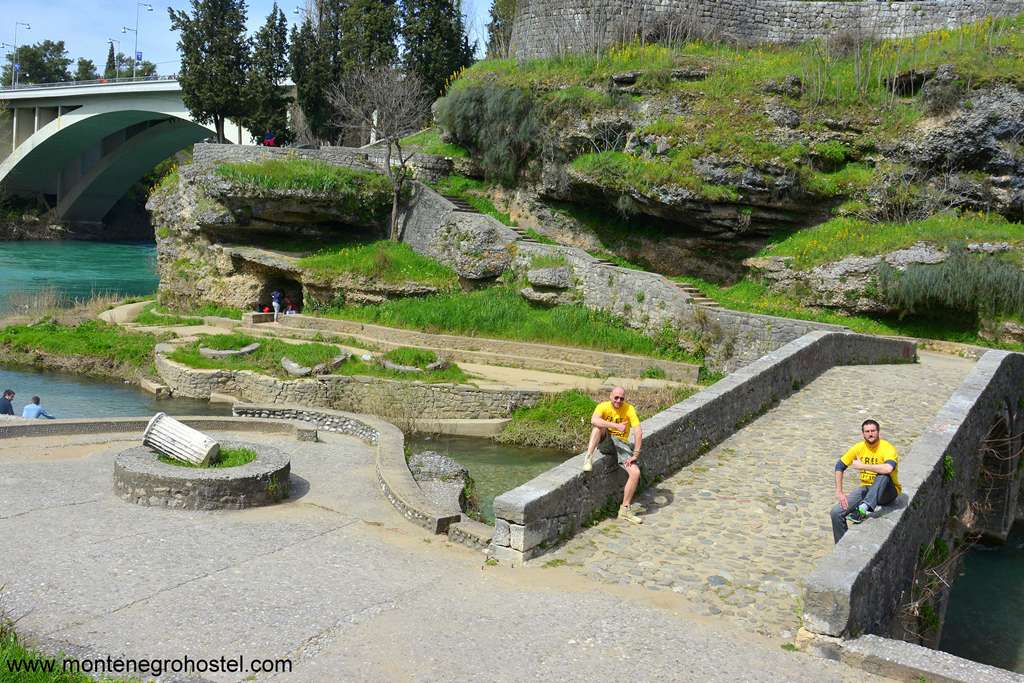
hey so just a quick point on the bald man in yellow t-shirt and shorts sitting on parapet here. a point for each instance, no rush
(613, 420)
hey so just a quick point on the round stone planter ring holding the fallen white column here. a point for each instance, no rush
(141, 479)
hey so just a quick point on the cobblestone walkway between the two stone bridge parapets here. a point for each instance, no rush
(737, 531)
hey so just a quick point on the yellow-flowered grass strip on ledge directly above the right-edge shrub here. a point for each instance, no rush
(840, 238)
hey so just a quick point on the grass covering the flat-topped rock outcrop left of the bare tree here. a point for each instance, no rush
(362, 195)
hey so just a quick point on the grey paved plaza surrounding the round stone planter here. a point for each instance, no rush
(334, 579)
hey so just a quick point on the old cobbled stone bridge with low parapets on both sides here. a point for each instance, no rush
(742, 482)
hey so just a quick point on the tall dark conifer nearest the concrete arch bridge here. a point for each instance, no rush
(216, 57)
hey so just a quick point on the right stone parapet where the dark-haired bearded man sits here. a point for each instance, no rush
(865, 583)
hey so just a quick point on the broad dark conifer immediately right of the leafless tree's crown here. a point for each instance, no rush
(435, 37)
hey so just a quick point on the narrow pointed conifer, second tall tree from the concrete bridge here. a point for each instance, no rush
(268, 100)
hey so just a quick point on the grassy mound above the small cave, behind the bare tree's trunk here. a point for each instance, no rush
(385, 261)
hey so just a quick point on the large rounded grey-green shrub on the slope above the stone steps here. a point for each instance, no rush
(499, 122)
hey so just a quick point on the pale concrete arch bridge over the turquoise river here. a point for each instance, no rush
(83, 146)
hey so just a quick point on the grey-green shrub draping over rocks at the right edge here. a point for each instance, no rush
(976, 285)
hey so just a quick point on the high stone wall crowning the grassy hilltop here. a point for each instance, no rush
(548, 28)
